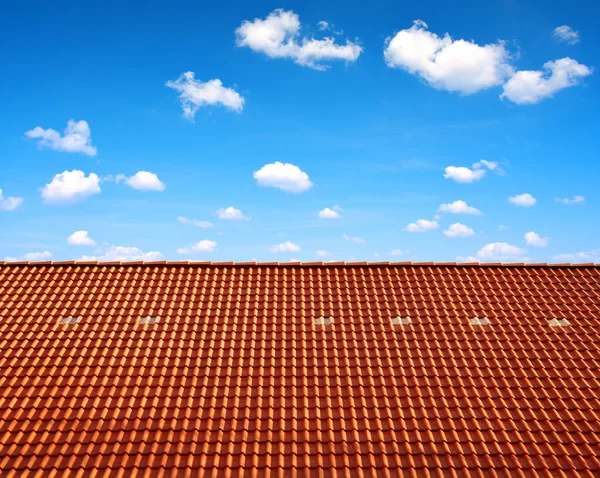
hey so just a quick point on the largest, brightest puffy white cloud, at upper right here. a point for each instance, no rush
(446, 64)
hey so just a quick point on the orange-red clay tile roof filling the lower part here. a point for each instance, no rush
(300, 370)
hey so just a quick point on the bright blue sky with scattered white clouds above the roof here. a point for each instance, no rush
(377, 124)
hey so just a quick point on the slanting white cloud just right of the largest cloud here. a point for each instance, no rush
(532, 86)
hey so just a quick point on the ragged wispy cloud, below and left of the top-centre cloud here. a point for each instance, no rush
(195, 94)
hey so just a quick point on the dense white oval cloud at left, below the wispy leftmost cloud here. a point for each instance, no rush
(70, 187)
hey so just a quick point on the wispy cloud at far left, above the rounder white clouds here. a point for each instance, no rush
(77, 138)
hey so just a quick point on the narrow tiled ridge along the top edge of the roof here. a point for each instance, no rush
(295, 263)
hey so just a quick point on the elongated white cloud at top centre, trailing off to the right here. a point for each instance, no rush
(278, 36)
